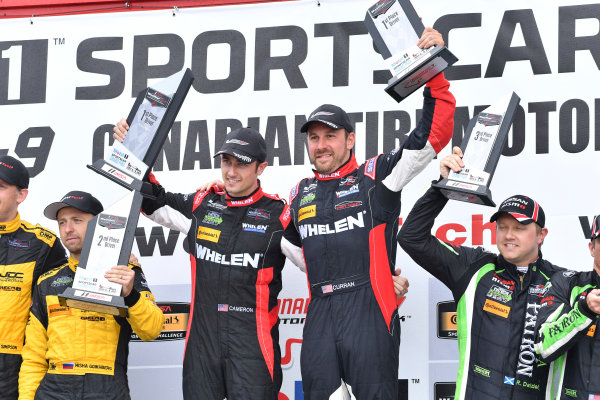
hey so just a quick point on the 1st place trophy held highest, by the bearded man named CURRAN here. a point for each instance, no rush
(395, 29)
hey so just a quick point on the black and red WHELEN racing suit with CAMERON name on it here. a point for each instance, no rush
(232, 347)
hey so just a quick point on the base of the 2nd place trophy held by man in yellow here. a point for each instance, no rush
(92, 301)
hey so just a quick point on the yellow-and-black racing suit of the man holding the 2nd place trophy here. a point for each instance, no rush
(73, 354)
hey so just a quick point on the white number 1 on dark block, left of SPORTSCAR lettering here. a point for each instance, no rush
(23, 71)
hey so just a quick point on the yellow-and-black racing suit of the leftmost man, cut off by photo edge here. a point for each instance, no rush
(26, 251)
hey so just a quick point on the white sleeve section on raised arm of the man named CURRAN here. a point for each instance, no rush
(409, 166)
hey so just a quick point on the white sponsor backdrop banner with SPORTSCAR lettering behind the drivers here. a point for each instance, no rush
(65, 80)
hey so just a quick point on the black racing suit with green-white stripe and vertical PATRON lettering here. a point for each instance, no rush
(496, 309)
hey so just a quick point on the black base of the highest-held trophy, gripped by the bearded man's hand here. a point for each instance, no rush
(404, 84)
